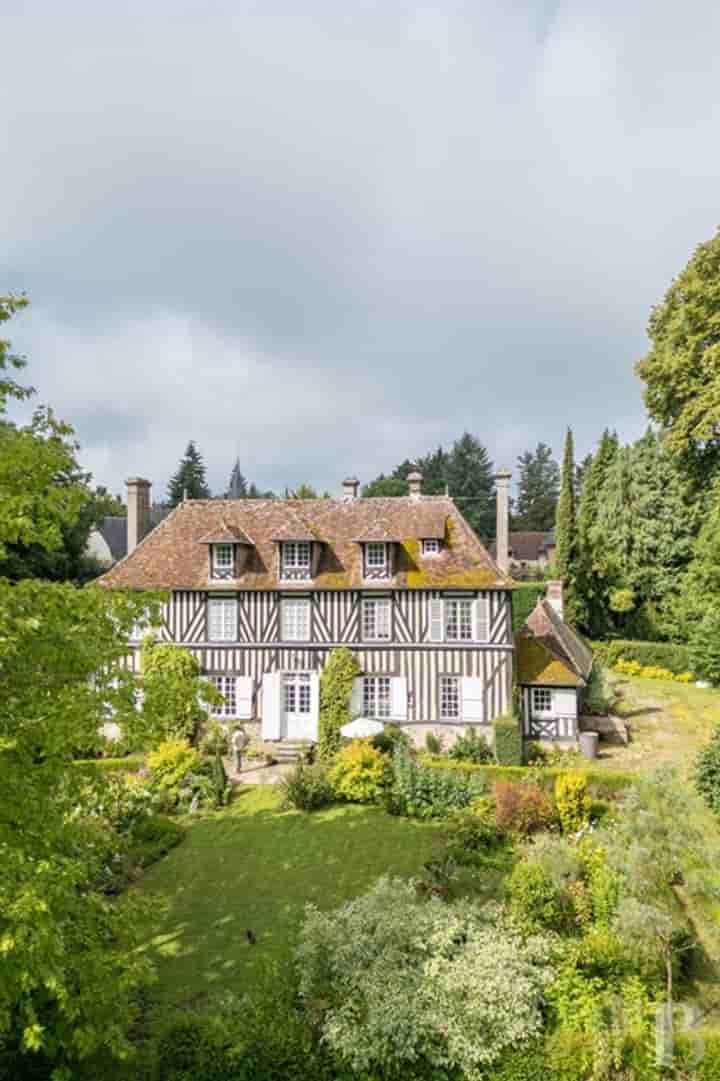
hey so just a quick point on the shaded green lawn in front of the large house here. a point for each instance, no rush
(255, 868)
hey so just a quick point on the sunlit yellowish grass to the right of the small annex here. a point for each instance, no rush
(669, 724)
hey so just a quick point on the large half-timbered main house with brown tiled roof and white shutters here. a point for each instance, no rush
(262, 592)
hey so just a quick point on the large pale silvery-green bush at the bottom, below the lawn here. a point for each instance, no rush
(419, 987)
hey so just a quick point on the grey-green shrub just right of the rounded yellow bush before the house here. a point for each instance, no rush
(420, 792)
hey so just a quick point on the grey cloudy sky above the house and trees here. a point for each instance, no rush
(325, 237)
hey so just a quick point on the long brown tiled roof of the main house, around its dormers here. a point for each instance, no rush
(170, 558)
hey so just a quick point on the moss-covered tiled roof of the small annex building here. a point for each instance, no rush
(550, 651)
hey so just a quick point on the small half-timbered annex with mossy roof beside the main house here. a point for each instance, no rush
(554, 666)
